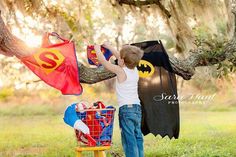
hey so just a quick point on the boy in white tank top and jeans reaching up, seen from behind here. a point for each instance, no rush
(127, 95)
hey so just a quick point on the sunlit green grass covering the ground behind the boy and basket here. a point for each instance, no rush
(203, 134)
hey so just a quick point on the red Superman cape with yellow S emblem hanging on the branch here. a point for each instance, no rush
(56, 65)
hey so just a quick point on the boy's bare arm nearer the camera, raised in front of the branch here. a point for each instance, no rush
(109, 66)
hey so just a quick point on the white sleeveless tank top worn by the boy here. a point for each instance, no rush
(127, 91)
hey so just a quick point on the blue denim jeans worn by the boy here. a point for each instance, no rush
(131, 134)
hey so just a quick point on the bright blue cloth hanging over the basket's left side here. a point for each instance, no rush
(71, 116)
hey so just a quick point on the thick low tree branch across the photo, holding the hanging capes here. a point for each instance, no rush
(11, 45)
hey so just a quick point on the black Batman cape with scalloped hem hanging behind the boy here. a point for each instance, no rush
(157, 91)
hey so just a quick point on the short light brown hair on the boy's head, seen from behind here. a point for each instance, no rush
(131, 55)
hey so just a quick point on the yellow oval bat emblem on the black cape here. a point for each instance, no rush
(145, 69)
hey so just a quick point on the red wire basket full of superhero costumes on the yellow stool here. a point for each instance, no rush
(100, 123)
